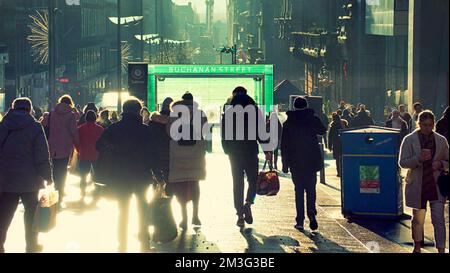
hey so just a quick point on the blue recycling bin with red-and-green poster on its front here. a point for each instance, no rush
(370, 184)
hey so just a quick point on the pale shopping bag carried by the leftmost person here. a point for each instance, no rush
(45, 215)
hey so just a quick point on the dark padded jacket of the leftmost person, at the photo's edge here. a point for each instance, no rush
(24, 156)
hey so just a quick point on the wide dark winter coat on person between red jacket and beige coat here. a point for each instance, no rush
(126, 154)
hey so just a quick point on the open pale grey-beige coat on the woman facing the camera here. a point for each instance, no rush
(409, 159)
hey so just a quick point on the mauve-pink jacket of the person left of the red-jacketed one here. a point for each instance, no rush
(63, 131)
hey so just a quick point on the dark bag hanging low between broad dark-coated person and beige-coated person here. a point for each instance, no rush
(161, 217)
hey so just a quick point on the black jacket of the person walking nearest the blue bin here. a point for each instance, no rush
(300, 150)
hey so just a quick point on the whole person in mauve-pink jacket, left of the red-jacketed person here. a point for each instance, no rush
(63, 135)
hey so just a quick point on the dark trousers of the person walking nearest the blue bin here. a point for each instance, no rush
(305, 182)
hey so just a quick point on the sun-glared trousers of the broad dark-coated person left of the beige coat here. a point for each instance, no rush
(124, 205)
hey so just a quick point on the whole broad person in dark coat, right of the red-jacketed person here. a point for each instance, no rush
(129, 146)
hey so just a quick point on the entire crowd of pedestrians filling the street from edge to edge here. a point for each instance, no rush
(130, 154)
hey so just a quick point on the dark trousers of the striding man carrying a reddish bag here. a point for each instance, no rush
(239, 165)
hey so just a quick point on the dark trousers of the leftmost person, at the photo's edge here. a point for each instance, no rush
(8, 206)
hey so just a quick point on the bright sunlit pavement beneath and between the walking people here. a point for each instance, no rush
(95, 230)
